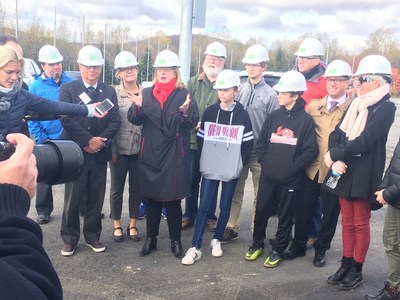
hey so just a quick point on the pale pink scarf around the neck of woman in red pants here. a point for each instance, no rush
(356, 117)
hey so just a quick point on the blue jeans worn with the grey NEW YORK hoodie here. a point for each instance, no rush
(208, 190)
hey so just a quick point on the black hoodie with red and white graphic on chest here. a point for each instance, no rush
(287, 145)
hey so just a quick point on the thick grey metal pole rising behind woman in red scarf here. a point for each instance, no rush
(185, 40)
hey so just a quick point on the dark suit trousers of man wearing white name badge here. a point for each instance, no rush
(92, 182)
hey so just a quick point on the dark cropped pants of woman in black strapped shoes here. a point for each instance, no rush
(124, 164)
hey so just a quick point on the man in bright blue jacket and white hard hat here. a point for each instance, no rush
(47, 85)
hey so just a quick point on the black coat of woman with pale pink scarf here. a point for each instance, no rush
(365, 155)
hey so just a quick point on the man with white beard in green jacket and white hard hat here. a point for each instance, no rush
(201, 88)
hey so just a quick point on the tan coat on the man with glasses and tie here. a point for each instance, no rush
(325, 123)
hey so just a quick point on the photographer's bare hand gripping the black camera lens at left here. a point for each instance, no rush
(20, 169)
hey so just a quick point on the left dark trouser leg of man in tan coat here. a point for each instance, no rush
(305, 210)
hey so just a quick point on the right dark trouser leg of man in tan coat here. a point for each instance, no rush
(330, 216)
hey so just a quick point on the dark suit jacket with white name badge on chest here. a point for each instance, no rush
(82, 129)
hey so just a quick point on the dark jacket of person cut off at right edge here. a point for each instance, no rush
(391, 181)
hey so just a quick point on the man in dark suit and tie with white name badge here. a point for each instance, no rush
(94, 137)
